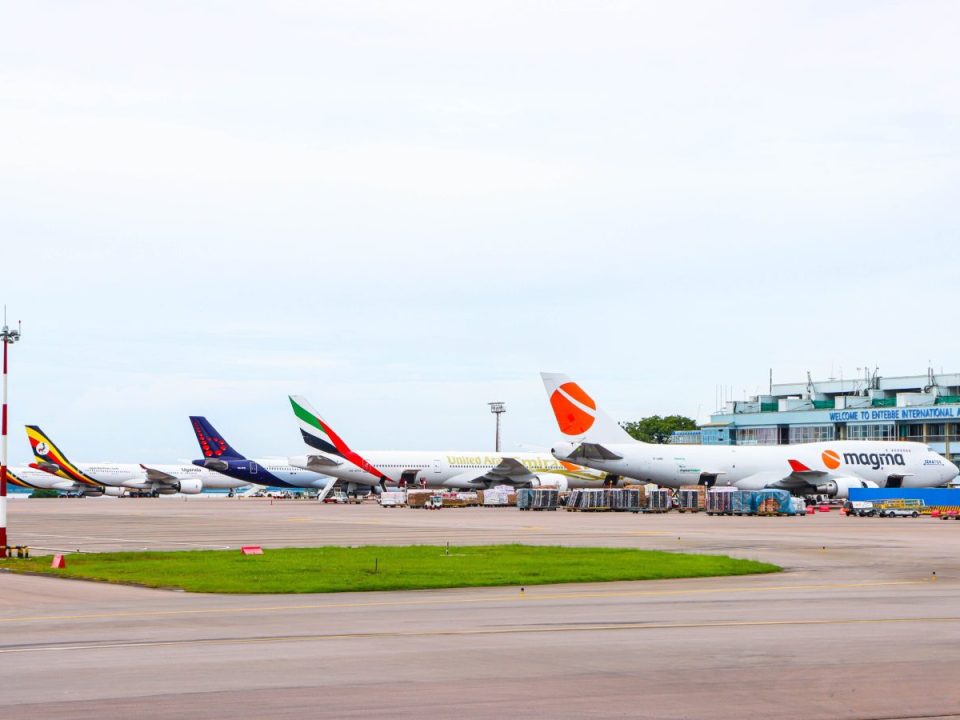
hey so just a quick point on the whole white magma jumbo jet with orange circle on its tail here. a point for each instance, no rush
(591, 438)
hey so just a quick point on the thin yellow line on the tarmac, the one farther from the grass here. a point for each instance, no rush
(478, 632)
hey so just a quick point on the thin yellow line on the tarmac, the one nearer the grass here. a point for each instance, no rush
(527, 597)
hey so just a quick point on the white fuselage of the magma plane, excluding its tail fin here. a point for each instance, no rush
(825, 465)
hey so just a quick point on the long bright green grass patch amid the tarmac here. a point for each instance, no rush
(339, 569)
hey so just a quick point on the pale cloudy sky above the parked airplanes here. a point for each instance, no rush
(404, 211)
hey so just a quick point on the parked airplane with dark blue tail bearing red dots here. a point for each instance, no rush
(272, 472)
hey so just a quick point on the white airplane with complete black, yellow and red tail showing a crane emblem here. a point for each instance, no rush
(157, 479)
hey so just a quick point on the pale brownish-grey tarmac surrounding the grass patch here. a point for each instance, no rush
(856, 627)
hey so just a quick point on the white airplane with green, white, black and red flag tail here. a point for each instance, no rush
(437, 469)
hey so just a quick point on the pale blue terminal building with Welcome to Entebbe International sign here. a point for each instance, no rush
(921, 408)
